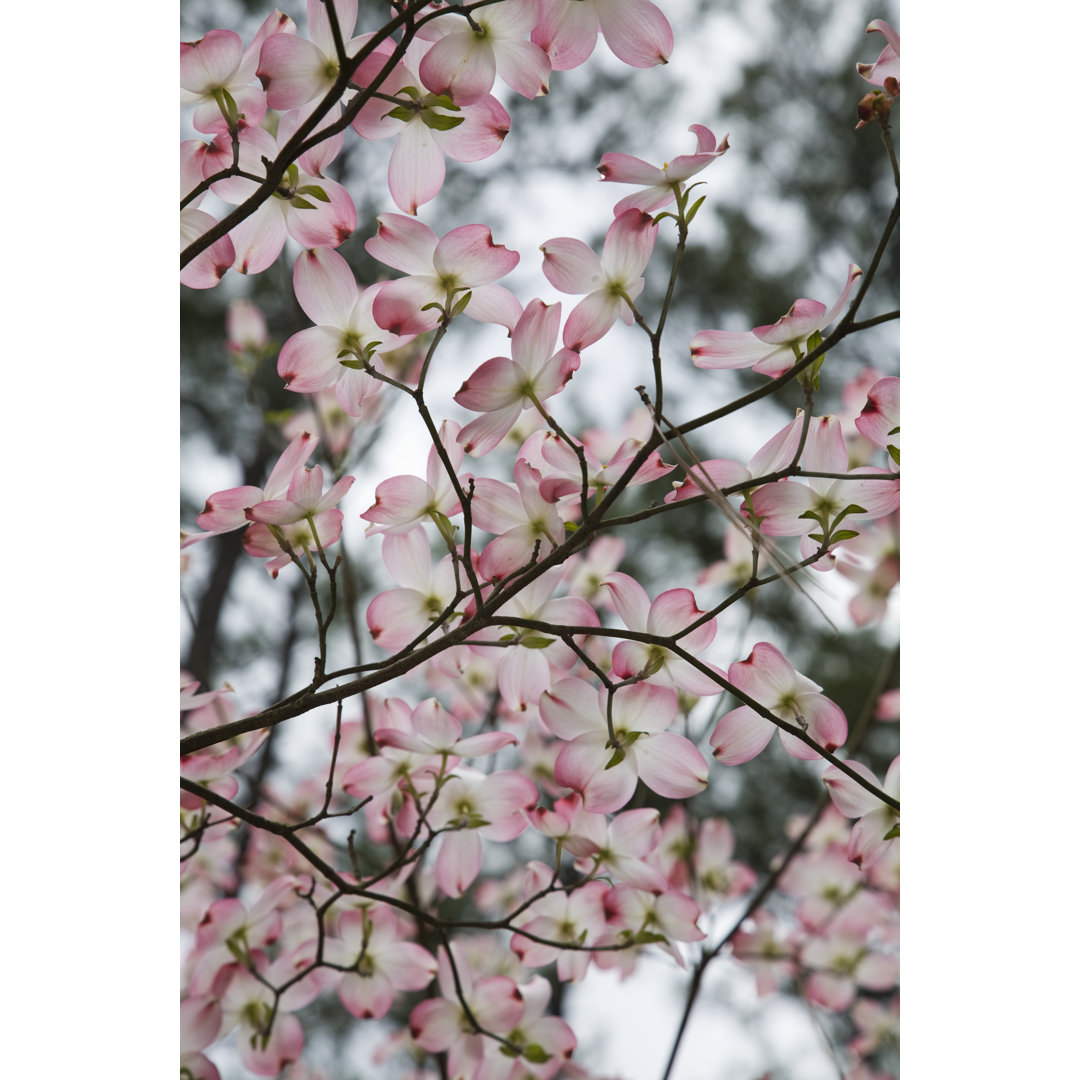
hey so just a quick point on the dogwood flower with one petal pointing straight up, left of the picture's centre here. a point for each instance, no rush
(503, 388)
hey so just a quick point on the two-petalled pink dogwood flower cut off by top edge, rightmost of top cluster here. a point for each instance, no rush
(636, 31)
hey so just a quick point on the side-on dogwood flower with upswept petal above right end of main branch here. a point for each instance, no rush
(771, 350)
